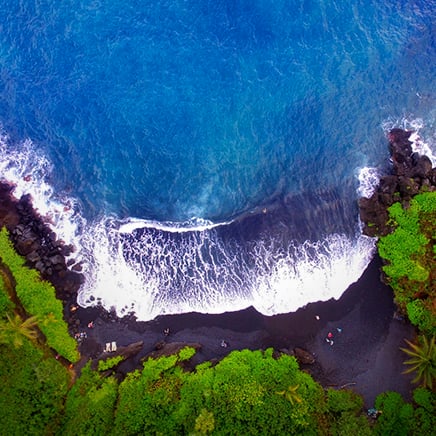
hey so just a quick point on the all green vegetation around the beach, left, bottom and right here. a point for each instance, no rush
(247, 392)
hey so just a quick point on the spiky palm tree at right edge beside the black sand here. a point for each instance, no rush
(423, 360)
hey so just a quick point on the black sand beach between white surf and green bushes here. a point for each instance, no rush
(365, 354)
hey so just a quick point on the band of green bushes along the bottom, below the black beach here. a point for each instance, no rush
(245, 393)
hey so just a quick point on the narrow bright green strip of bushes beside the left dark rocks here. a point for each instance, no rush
(38, 298)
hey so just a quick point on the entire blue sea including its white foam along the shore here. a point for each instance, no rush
(208, 155)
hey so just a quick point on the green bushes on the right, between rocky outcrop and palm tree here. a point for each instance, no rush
(411, 256)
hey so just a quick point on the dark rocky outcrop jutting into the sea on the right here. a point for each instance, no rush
(411, 173)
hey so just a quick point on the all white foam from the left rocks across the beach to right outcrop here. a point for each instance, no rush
(152, 268)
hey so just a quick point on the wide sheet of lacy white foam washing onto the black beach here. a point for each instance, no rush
(159, 272)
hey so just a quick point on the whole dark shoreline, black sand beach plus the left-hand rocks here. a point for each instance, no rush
(365, 353)
